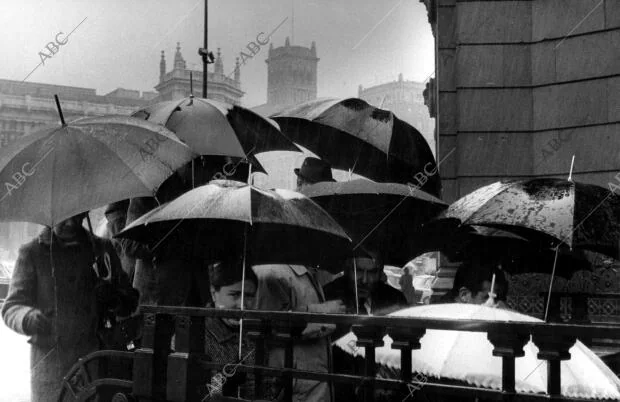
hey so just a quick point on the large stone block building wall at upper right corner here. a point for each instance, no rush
(523, 86)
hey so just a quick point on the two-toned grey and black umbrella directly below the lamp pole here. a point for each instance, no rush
(210, 127)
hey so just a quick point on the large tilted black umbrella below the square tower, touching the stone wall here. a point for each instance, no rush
(372, 142)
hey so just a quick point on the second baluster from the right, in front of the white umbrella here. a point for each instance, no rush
(508, 344)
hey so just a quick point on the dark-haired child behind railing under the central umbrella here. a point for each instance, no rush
(222, 334)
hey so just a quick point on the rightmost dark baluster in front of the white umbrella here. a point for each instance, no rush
(553, 348)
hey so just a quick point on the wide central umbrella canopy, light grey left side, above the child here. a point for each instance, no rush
(283, 226)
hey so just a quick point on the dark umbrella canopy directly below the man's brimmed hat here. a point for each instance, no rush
(383, 216)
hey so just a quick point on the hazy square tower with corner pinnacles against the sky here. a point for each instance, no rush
(291, 74)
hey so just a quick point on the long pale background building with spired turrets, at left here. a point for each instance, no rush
(26, 107)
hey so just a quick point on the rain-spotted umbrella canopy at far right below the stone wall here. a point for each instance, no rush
(575, 214)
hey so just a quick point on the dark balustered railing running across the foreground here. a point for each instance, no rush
(182, 375)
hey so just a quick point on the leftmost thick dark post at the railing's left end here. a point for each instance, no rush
(150, 358)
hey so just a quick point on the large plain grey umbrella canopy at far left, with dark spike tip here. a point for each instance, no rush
(59, 172)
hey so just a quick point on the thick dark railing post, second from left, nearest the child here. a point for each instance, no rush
(184, 380)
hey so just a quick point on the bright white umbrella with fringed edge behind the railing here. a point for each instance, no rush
(467, 356)
